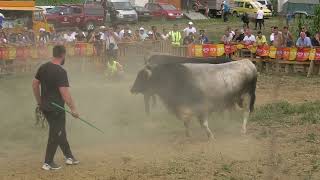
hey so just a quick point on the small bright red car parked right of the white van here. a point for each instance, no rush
(164, 11)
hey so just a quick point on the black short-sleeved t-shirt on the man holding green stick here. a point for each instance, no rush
(51, 77)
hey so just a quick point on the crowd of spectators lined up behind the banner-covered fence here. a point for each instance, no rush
(189, 35)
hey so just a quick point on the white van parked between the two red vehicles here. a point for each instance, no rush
(121, 11)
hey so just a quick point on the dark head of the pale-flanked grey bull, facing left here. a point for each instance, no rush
(141, 83)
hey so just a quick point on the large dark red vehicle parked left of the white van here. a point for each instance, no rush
(82, 16)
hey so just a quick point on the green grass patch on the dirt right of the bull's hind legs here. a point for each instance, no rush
(284, 112)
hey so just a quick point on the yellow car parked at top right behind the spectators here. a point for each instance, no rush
(249, 6)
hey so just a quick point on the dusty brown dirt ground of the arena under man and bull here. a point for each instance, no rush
(135, 146)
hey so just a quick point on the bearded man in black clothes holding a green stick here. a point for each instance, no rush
(54, 84)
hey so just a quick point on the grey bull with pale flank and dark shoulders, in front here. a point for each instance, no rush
(191, 90)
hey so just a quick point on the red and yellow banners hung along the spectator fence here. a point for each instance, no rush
(206, 50)
